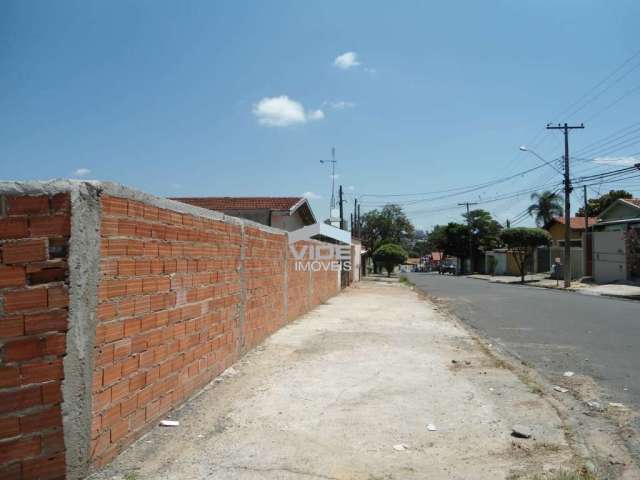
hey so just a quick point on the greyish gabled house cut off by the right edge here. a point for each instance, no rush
(616, 242)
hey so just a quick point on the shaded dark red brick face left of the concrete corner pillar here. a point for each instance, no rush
(34, 234)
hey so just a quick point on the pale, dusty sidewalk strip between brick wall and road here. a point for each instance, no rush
(348, 392)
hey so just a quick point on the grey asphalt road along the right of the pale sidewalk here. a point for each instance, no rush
(554, 331)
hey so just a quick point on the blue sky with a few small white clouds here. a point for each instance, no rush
(244, 98)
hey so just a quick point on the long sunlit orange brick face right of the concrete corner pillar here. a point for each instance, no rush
(171, 312)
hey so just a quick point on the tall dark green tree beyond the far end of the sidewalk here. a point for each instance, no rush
(389, 225)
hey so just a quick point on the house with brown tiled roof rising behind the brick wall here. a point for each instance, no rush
(286, 213)
